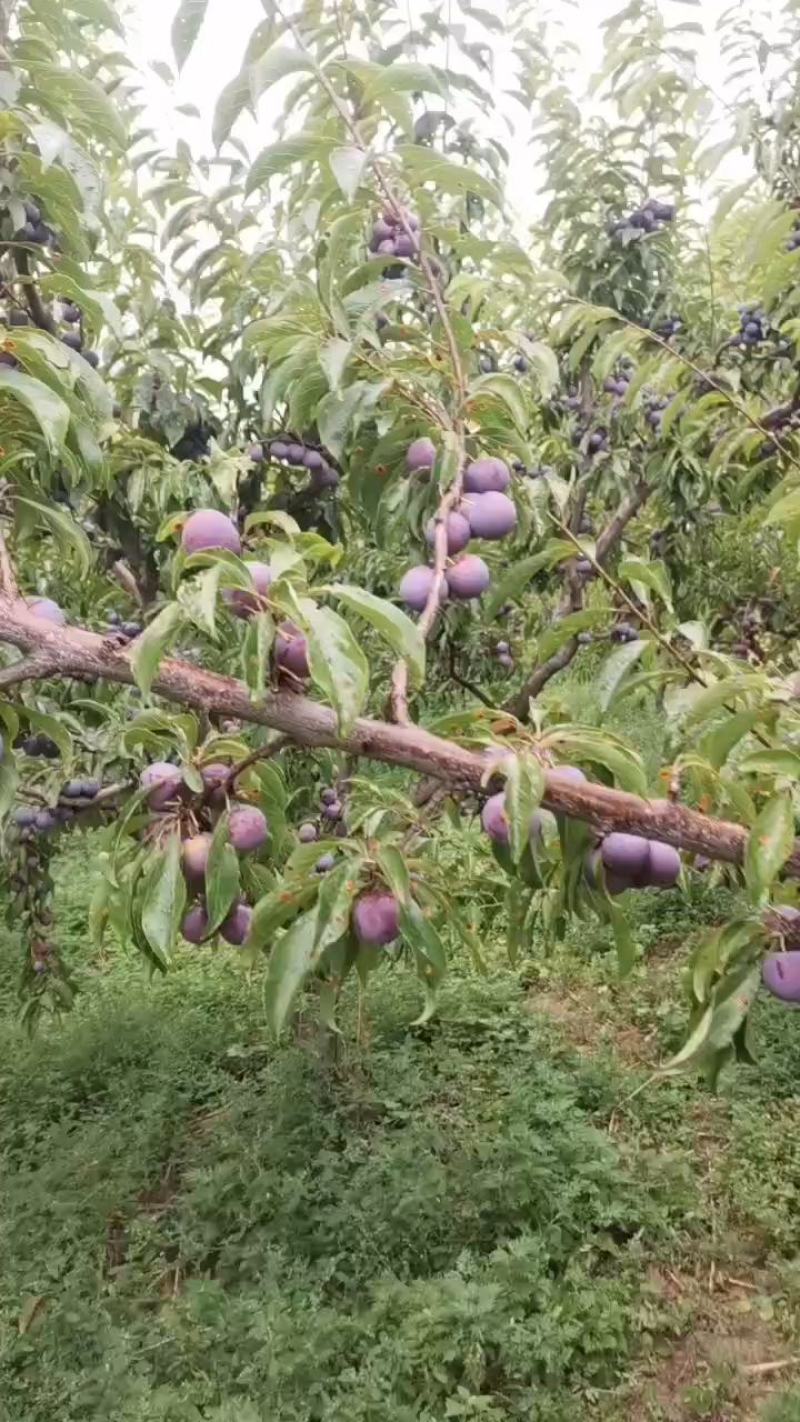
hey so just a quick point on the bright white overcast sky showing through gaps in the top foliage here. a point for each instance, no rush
(229, 25)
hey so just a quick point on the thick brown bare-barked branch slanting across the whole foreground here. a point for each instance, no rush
(77, 653)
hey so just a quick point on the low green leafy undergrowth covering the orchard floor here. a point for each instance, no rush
(487, 1218)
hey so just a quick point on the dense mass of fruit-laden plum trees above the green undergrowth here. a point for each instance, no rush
(163, 392)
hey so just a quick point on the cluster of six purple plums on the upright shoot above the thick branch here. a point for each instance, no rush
(485, 513)
